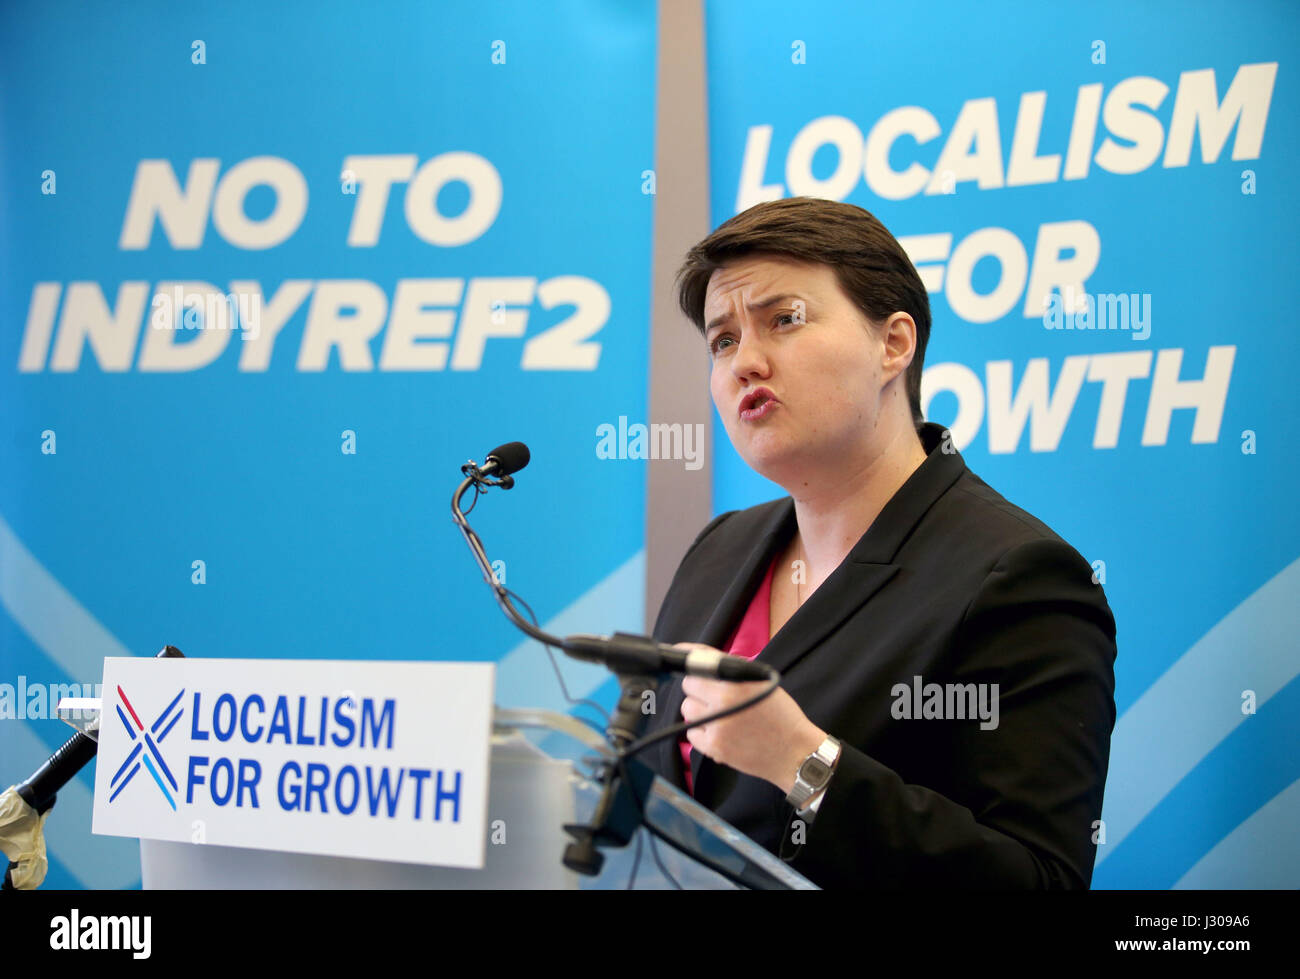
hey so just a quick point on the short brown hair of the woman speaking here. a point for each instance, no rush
(870, 266)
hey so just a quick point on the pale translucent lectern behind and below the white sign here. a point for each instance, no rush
(543, 769)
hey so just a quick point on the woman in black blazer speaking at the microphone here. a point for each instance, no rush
(948, 662)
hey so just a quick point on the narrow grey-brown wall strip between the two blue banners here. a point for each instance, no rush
(678, 499)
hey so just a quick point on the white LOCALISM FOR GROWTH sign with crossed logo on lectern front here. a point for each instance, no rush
(382, 761)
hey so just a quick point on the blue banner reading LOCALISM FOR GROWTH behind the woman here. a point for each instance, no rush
(1099, 203)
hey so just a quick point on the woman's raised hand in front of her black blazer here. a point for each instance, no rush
(769, 740)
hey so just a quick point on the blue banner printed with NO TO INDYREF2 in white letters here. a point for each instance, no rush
(271, 276)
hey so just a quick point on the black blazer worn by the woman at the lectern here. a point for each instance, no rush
(955, 586)
